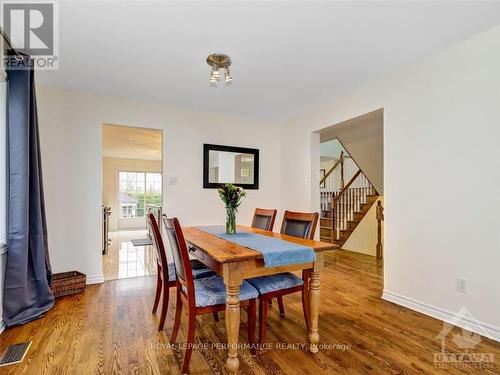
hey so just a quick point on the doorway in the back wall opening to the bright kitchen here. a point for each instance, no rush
(132, 160)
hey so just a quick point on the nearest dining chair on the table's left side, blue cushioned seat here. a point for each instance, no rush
(201, 296)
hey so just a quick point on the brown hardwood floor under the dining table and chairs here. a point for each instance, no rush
(110, 330)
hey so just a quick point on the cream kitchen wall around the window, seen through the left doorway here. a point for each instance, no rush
(110, 188)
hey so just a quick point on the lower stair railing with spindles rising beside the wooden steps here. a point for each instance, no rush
(348, 202)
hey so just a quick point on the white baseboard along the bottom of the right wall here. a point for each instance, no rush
(481, 328)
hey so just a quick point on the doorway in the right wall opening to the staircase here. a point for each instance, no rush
(351, 190)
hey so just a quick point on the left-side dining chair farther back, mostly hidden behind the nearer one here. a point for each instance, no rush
(165, 276)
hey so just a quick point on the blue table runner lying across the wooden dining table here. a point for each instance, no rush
(275, 252)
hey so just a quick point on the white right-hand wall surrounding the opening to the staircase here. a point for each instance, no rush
(442, 207)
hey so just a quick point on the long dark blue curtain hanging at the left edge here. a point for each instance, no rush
(27, 293)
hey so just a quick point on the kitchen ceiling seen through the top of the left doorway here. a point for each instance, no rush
(126, 142)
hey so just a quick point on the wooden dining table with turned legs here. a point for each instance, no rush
(236, 263)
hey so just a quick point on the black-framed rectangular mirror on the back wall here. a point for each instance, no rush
(228, 164)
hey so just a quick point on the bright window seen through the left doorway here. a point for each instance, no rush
(138, 189)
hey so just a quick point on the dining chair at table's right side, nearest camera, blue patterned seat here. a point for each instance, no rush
(296, 224)
